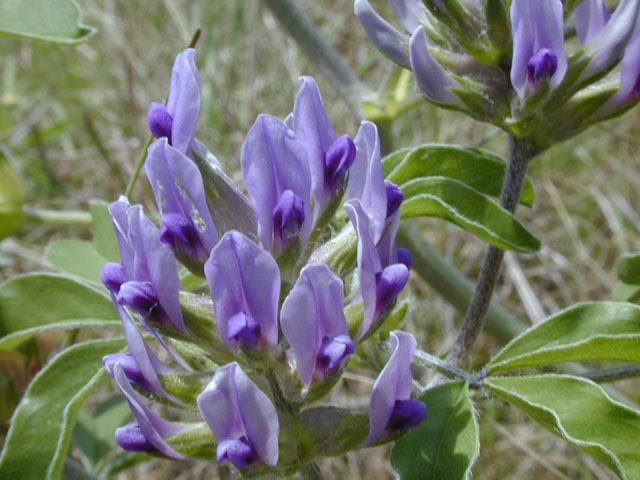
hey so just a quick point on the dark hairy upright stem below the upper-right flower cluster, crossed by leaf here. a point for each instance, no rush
(520, 153)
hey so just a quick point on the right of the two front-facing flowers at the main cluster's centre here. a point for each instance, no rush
(314, 324)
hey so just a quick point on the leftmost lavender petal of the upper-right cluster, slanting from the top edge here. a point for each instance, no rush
(384, 36)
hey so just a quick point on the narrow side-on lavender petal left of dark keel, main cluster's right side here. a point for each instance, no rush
(368, 262)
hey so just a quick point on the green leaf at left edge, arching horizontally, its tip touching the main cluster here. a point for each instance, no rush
(39, 299)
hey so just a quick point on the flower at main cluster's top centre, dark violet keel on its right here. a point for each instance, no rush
(329, 157)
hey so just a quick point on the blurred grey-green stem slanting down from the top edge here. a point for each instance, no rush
(315, 47)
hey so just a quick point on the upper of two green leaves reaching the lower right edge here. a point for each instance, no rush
(587, 331)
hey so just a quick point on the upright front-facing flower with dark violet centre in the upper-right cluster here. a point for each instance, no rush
(538, 45)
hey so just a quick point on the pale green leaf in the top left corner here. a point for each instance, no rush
(51, 20)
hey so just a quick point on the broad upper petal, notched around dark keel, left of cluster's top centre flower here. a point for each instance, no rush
(274, 160)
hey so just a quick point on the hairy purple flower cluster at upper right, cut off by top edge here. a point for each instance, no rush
(511, 65)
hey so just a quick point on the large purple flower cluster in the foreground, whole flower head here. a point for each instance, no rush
(273, 335)
